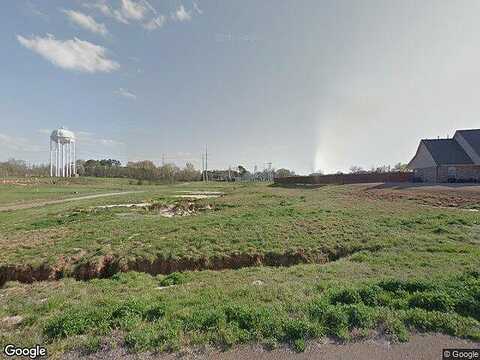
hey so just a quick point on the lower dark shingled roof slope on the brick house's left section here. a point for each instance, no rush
(447, 151)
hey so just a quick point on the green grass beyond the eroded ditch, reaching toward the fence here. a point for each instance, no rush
(250, 219)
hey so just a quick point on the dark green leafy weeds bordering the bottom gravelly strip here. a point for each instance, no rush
(336, 312)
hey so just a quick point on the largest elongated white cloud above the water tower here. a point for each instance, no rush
(72, 54)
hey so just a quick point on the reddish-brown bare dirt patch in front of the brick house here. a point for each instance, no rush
(445, 195)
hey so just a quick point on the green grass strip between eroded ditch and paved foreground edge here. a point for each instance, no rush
(291, 306)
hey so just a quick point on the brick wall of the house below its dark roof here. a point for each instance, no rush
(441, 174)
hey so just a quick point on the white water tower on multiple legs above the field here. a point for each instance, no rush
(62, 153)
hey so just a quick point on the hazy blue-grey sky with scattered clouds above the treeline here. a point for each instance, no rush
(307, 85)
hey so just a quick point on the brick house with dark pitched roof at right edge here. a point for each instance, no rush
(448, 160)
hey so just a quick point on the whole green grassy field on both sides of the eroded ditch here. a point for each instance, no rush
(391, 267)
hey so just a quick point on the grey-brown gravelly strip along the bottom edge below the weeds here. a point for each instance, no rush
(420, 347)
